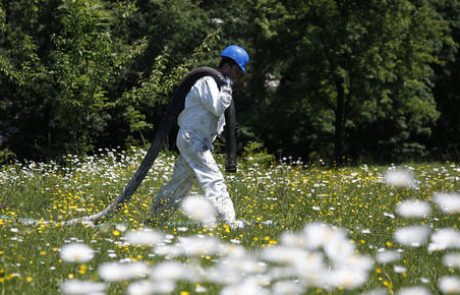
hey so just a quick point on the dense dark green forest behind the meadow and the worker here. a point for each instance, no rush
(347, 81)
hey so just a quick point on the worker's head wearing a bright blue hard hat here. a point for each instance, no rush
(234, 59)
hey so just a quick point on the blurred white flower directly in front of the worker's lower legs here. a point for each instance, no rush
(199, 209)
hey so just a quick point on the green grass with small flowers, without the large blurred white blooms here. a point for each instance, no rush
(352, 198)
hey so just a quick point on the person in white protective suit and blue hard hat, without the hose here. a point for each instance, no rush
(200, 122)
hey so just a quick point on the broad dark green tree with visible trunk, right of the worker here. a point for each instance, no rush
(355, 75)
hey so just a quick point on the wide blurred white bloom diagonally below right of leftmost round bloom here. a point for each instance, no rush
(113, 271)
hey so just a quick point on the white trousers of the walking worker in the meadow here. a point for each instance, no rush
(194, 163)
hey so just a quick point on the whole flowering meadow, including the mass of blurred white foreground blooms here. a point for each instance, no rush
(353, 203)
